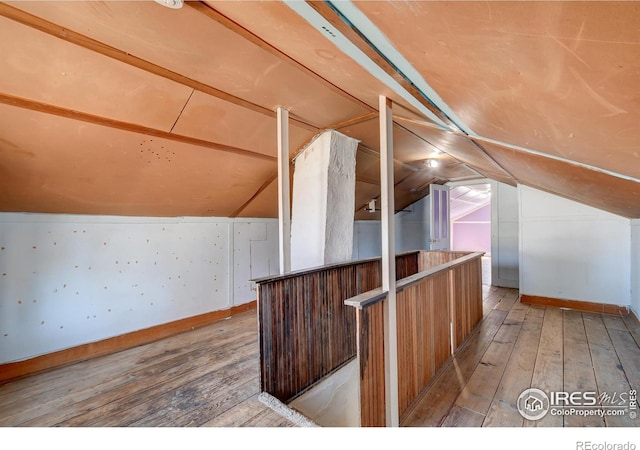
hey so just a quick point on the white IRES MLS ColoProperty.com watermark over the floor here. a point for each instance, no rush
(534, 404)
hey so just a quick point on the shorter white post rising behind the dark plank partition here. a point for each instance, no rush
(284, 195)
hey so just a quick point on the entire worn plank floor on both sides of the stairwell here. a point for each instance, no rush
(209, 376)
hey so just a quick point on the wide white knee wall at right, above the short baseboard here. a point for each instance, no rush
(572, 251)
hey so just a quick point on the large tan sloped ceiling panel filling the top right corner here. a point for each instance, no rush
(558, 77)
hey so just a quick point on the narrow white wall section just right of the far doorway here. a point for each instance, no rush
(504, 235)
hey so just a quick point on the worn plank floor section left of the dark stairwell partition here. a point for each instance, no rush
(206, 377)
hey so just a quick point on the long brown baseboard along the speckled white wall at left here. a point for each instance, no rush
(14, 370)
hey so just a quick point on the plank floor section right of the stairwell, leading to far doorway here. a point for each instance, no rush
(517, 347)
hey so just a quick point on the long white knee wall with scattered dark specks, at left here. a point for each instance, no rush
(69, 280)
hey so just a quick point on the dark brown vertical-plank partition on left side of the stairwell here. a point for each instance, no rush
(306, 330)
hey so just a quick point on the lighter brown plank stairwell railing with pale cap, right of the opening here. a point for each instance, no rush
(436, 310)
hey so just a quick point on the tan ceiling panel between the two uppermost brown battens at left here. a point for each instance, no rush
(188, 42)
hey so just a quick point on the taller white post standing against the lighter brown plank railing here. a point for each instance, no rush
(389, 261)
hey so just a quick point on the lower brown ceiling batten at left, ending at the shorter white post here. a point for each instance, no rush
(126, 126)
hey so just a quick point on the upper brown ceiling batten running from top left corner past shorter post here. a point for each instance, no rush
(88, 43)
